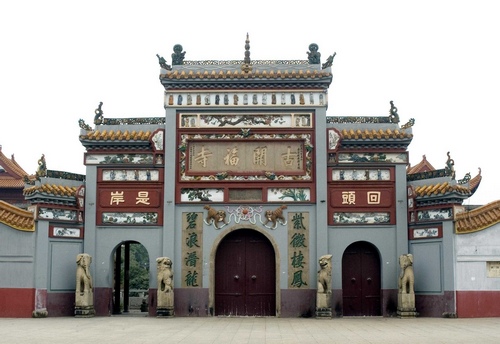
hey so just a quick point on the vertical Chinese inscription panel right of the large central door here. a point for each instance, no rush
(298, 250)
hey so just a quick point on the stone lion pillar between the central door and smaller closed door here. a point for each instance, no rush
(324, 294)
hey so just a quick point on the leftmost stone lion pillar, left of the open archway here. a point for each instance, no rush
(84, 295)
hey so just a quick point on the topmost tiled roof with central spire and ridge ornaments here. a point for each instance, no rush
(246, 74)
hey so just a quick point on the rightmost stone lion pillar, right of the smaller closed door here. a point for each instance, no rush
(406, 294)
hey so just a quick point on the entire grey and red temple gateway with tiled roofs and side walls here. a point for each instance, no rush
(238, 196)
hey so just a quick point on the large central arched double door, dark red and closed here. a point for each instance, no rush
(245, 275)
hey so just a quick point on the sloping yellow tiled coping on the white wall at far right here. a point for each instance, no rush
(478, 219)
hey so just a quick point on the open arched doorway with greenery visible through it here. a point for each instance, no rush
(131, 278)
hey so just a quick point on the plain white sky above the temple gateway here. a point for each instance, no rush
(439, 61)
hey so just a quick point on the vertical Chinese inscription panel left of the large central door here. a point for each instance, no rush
(192, 249)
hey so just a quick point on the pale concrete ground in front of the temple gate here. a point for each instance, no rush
(142, 329)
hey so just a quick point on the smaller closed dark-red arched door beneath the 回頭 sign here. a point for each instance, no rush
(361, 280)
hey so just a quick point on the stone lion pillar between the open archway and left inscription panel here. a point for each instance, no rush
(165, 291)
